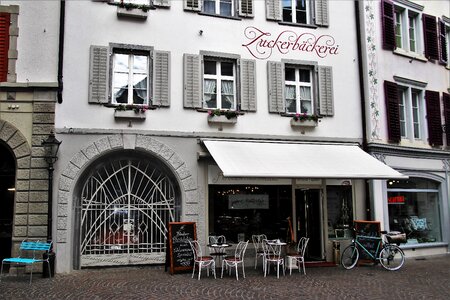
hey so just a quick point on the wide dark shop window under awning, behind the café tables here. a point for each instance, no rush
(239, 211)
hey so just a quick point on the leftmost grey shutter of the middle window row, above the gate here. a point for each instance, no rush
(98, 74)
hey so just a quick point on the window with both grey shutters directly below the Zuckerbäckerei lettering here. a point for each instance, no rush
(302, 87)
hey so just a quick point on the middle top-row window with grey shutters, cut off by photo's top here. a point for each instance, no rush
(225, 8)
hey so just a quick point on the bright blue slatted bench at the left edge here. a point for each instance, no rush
(30, 253)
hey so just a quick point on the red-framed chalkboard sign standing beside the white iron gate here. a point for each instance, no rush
(180, 252)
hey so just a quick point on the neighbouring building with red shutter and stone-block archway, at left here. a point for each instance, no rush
(28, 92)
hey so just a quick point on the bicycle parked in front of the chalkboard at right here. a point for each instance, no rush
(390, 256)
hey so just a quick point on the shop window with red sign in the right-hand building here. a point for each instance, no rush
(414, 209)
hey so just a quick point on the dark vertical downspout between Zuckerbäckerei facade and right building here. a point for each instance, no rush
(363, 102)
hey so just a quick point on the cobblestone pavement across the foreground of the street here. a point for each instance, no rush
(418, 279)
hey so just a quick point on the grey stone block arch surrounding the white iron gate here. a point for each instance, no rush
(81, 160)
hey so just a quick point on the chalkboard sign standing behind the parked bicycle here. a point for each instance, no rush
(370, 232)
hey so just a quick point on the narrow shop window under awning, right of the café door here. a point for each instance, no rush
(340, 211)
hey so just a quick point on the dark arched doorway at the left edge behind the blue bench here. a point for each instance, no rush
(7, 191)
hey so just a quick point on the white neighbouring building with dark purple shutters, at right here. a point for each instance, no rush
(407, 86)
